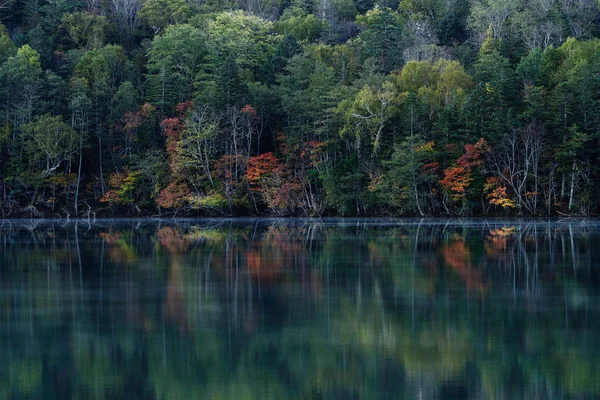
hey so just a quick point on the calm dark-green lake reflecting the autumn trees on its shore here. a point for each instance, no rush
(300, 309)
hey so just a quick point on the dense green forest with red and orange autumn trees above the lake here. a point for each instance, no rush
(299, 107)
